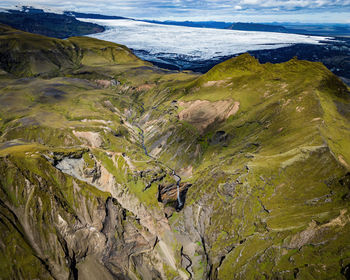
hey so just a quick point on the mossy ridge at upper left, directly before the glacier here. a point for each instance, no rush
(28, 55)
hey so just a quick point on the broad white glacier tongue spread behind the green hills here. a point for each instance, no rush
(180, 45)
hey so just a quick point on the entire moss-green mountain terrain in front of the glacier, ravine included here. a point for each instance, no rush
(270, 183)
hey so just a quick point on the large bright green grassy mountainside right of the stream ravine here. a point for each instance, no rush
(282, 168)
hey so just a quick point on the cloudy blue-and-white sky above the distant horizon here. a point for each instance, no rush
(313, 11)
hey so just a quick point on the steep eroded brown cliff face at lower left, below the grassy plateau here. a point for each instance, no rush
(90, 234)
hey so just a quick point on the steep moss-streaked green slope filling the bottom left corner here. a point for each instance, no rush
(33, 195)
